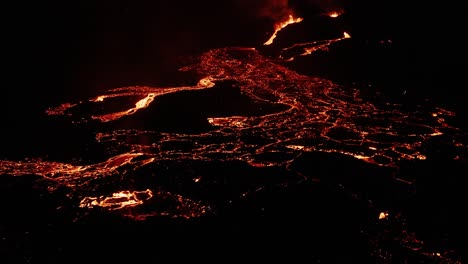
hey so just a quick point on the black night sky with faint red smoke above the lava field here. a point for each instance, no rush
(71, 48)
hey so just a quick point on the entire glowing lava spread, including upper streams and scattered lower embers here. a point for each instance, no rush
(152, 171)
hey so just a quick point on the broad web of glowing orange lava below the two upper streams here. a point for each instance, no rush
(314, 115)
